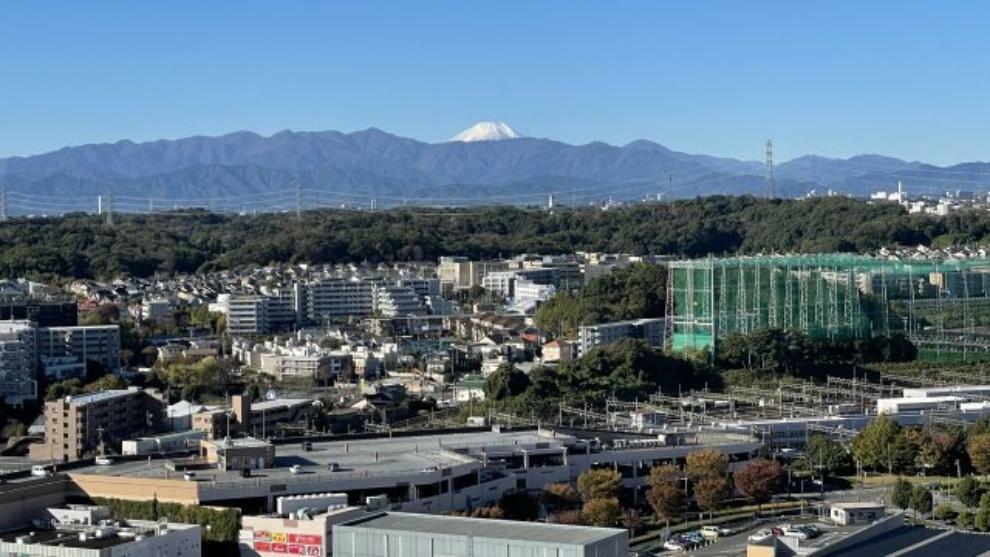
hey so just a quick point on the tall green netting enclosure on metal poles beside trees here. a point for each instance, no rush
(942, 305)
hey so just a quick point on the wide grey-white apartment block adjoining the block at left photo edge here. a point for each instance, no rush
(99, 343)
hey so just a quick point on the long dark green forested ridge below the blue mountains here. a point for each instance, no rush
(140, 245)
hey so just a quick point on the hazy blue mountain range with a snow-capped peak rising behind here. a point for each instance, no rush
(249, 171)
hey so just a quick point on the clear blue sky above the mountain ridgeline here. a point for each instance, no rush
(909, 79)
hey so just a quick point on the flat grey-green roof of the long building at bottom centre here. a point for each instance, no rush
(487, 528)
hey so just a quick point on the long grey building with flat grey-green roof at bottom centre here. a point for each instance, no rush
(434, 536)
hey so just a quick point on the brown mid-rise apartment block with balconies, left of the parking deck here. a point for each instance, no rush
(83, 424)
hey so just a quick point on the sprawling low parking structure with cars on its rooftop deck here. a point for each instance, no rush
(422, 473)
